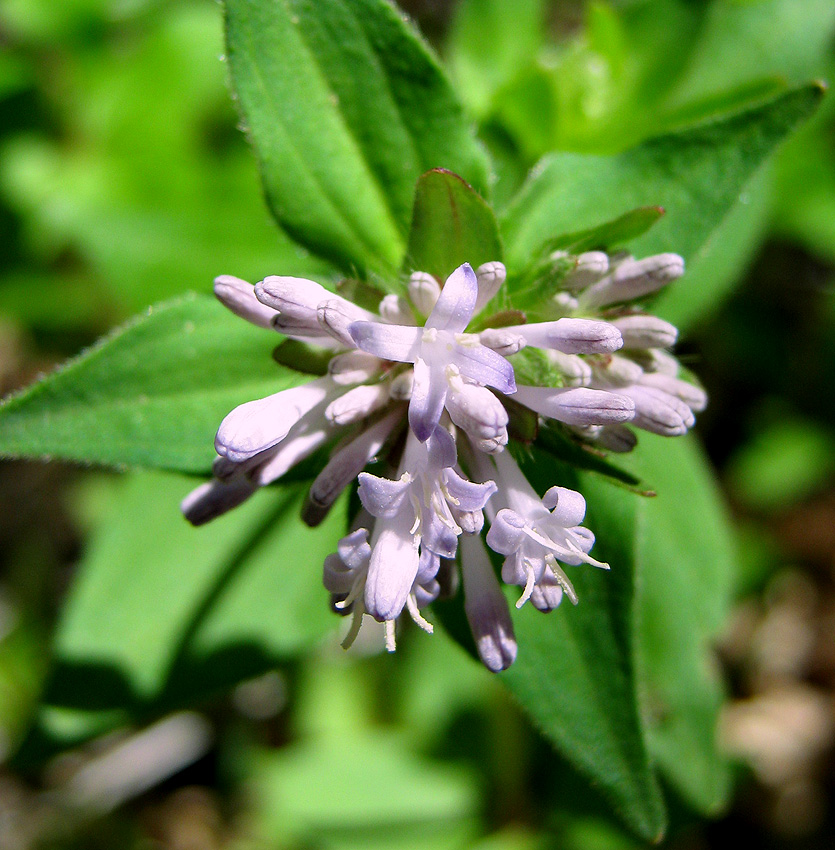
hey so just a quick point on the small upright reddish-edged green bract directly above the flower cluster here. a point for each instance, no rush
(451, 225)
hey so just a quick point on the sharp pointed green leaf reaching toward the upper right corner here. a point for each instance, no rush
(696, 175)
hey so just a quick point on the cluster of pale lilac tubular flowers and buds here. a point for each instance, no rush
(421, 387)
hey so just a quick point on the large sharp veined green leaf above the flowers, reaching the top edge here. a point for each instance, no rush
(344, 135)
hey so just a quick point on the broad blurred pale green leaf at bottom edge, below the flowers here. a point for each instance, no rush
(362, 790)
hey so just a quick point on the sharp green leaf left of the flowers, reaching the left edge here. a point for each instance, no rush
(151, 394)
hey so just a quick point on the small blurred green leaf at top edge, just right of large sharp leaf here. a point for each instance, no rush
(489, 43)
